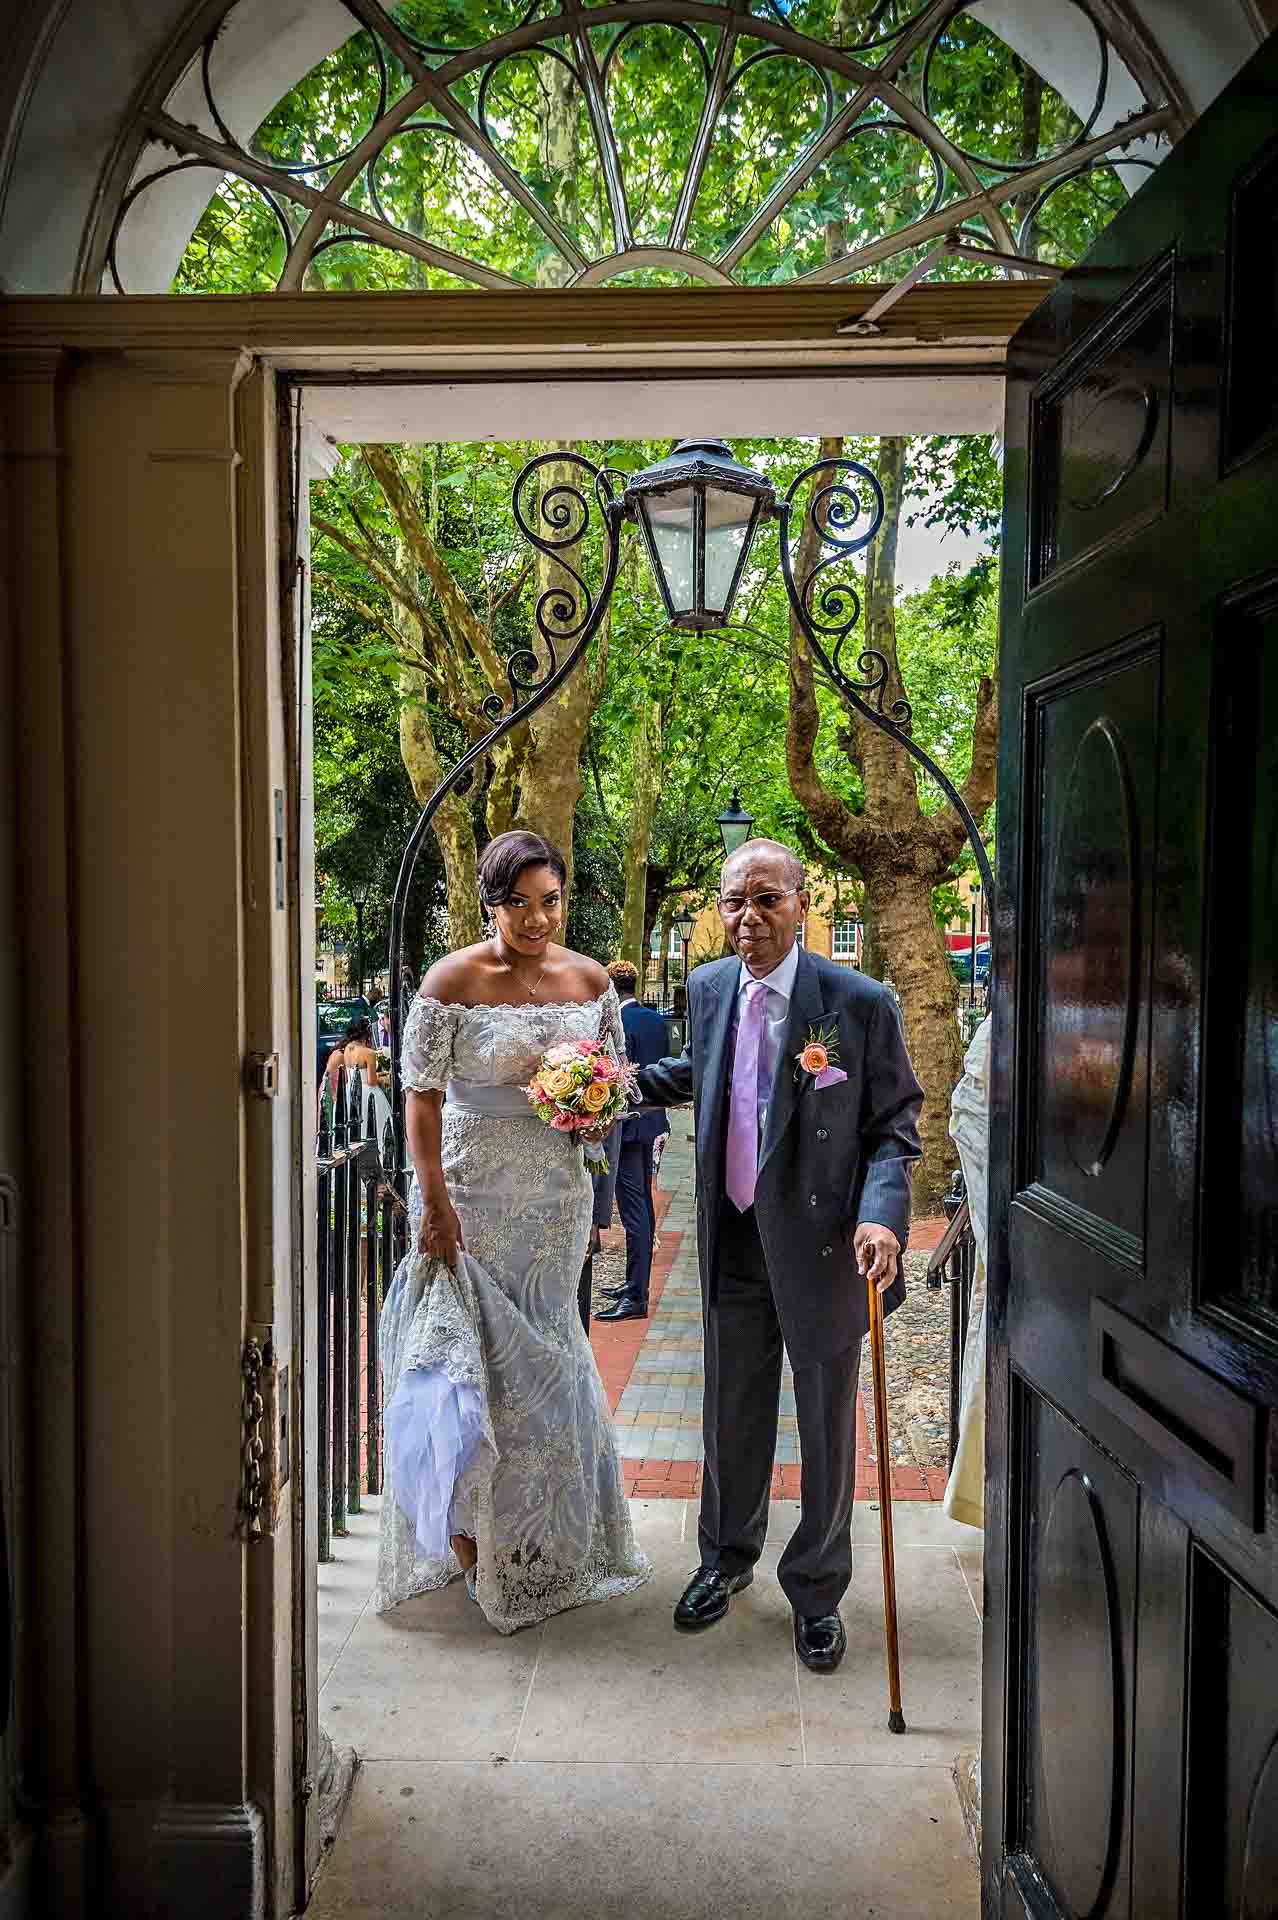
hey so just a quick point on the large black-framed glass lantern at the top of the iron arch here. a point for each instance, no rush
(699, 512)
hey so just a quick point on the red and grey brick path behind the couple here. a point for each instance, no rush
(653, 1370)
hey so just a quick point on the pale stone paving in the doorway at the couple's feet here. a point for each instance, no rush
(603, 1767)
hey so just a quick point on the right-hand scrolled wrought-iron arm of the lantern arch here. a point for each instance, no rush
(845, 514)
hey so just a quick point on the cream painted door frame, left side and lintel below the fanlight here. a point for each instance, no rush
(158, 533)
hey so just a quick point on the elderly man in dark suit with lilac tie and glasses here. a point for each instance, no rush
(803, 1195)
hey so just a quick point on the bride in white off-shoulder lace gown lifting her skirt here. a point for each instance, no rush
(500, 1452)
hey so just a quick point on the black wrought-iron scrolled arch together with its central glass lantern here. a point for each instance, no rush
(699, 514)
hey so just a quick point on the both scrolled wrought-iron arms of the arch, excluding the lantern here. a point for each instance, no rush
(843, 514)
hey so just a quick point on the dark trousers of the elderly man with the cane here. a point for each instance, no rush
(742, 1408)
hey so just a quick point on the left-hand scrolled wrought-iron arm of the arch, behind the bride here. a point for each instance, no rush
(567, 615)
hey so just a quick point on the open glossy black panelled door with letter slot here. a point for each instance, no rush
(1131, 1650)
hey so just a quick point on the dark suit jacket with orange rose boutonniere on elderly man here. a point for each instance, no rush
(830, 1159)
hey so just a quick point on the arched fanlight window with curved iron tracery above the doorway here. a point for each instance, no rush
(580, 143)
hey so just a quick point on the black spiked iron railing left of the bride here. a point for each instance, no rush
(364, 1234)
